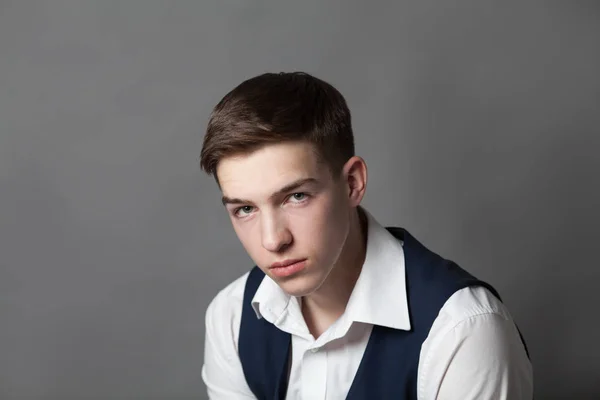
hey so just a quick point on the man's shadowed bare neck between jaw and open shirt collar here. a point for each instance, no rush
(323, 307)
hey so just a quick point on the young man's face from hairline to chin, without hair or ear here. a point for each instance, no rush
(285, 206)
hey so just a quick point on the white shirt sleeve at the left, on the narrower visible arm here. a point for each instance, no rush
(222, 370)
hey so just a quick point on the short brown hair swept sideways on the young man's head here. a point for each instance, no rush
(278, 107)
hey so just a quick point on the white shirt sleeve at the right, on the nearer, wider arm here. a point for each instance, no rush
(480, 356)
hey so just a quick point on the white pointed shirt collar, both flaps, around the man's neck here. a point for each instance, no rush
(378, 298)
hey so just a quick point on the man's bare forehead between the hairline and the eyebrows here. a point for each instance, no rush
(268, 169)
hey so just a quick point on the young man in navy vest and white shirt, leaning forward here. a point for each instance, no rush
(337, 306)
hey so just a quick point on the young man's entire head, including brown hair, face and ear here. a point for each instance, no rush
(282, 150)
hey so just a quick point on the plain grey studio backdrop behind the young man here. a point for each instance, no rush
(479, 122)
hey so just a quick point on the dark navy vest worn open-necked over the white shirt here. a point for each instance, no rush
(388, 369)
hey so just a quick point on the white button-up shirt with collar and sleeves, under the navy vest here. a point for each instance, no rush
(473, 350)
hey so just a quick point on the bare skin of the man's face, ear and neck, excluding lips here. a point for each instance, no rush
(284, 204)
